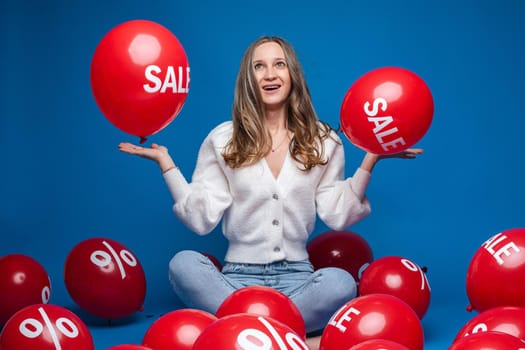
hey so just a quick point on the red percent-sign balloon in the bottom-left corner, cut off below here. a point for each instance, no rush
(43, 327)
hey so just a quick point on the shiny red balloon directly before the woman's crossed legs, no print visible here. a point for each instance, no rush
(264, 301)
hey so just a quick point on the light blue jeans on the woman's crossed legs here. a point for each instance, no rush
(318, 294)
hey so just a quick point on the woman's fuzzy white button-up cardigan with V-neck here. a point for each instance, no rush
(265, 218)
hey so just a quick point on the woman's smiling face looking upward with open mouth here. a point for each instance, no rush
(272, 75)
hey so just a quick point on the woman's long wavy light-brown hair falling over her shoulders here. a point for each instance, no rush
(250, 138)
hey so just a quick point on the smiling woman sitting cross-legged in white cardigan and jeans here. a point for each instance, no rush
(267, 174)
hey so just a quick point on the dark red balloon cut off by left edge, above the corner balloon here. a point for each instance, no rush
(24, 282)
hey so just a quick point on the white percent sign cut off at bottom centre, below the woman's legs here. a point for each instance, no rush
(246, 337)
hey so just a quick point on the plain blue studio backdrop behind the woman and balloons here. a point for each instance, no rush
(63, 179)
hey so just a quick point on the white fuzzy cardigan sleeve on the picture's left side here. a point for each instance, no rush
(200, 204)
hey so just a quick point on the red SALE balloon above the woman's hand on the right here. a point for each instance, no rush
(387, 110)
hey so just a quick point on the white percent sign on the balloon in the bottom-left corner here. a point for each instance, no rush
(32, 328)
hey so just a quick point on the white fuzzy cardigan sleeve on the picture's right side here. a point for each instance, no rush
(341, 202)
